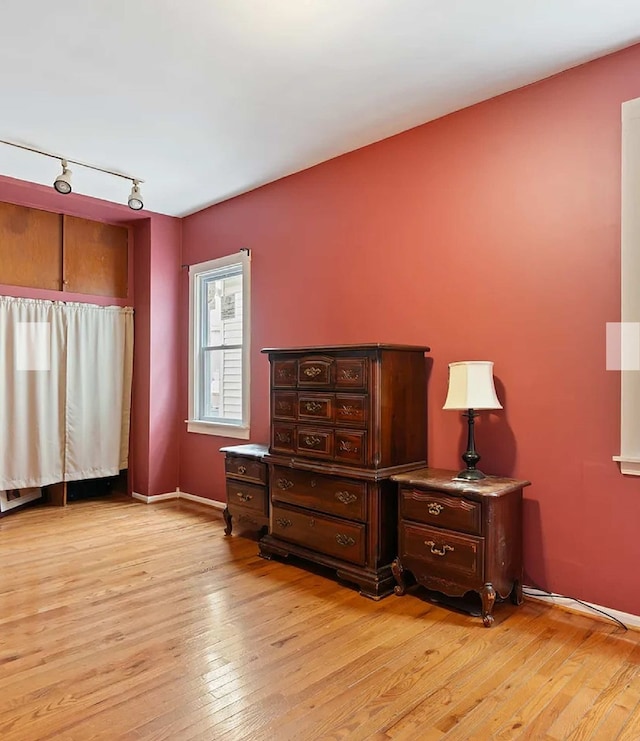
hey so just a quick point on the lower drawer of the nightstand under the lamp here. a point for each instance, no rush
(442, 554)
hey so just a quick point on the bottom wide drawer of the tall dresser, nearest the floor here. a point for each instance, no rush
(341, 539)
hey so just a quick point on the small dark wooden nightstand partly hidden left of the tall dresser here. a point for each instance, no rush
(246, 482)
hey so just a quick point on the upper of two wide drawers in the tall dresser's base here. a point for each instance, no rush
(328, 494)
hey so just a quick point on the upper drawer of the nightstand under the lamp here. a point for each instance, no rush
(435, 508)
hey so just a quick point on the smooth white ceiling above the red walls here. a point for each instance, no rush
(205, 99)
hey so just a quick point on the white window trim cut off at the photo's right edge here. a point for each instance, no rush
(629, 458)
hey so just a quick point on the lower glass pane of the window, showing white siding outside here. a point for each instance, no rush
(222, 391)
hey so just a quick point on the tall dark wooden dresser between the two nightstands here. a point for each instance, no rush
(344, 419)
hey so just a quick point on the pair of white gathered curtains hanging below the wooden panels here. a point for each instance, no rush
(65, 391)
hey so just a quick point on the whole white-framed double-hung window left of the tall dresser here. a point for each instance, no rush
(219, 335)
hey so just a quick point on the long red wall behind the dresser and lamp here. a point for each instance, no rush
(493, 233)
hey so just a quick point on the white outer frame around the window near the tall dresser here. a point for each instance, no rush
(239, 430)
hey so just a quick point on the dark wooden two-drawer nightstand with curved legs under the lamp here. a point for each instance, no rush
(458, 536)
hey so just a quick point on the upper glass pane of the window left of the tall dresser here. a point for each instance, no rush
(223, 321)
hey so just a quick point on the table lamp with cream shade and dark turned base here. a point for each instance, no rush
(471, 388)
